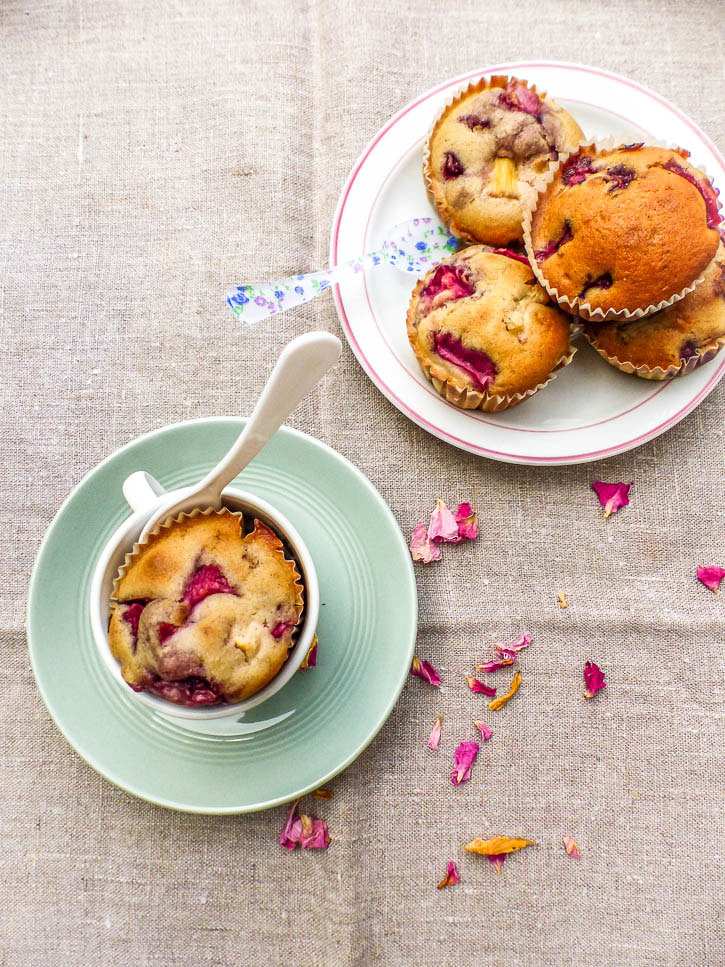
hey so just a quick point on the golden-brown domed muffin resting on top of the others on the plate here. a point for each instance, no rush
(616, 232)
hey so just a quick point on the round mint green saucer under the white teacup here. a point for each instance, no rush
(313, 727)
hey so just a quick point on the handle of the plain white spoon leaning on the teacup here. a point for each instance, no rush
(301, 365)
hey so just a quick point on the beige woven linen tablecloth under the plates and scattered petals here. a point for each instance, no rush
(152, 153)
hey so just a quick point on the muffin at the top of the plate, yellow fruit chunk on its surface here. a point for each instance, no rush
(493, 140)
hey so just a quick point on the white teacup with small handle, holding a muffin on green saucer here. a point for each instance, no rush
(145, 494)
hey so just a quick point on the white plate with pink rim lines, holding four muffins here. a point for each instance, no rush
(591, 410)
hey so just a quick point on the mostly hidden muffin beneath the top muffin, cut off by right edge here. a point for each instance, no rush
(671, 342)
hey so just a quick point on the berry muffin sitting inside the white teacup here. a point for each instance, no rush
(203, 613)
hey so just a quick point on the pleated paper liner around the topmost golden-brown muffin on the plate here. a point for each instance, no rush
(576, 306)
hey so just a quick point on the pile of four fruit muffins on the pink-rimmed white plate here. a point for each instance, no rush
(621, 240)
